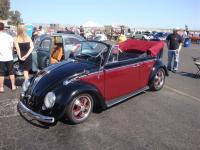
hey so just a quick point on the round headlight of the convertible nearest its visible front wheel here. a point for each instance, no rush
(49, 100)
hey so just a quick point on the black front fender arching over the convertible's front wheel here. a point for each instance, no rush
(66, 93)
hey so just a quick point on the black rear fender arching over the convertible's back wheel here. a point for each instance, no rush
(157, 65)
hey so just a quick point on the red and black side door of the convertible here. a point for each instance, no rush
(121, 78)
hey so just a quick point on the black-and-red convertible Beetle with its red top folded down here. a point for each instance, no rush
(100, 75)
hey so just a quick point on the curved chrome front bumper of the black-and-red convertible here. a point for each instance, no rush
(24, 110)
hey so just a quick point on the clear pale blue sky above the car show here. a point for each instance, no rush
(134, 13)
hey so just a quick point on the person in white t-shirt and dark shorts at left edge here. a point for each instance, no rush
(6, 58)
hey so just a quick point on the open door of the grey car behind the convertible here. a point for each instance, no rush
(43, 53)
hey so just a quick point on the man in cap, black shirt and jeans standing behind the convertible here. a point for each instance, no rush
(174, 44)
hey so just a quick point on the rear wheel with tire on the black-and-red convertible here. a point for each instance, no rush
(158, 80)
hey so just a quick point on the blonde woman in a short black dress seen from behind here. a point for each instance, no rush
(24, 47)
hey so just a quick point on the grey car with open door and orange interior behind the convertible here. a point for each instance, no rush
(49, 49)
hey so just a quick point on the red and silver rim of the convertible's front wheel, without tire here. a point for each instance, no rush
(81, 107)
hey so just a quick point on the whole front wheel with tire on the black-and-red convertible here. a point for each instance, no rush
(80, 108)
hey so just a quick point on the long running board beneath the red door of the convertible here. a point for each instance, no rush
(123, 98)
